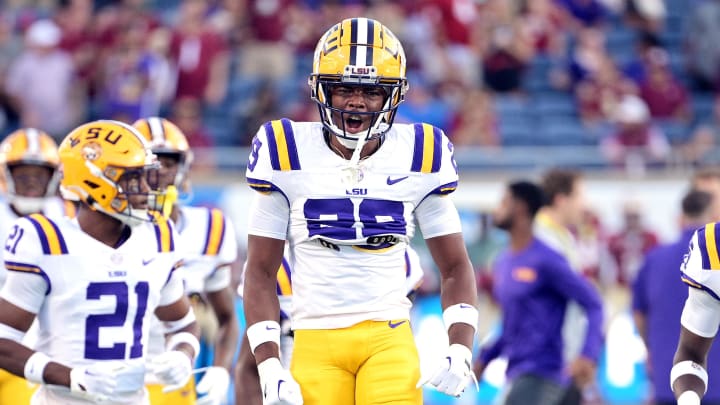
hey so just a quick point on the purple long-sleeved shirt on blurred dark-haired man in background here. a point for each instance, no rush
(533, 287)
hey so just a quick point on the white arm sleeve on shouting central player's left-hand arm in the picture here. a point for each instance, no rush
(269, 216)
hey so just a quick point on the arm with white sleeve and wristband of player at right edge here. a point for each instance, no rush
(700, 319)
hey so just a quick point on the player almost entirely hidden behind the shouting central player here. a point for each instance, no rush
(247, 388)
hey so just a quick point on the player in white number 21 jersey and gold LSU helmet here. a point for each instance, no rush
(93, 281)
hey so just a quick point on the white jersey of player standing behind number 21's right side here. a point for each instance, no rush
(207, 246)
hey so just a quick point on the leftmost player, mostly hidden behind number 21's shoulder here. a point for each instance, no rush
(28, 164)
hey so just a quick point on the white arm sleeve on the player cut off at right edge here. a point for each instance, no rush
(701, 314)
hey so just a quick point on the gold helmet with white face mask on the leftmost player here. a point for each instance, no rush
(32, 147)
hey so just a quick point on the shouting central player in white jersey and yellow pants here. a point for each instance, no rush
(345, 194)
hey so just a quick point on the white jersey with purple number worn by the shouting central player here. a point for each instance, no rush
(349, 229)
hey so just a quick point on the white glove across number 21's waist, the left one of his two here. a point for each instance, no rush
(101, 381)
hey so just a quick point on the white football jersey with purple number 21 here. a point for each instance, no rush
(93, 302)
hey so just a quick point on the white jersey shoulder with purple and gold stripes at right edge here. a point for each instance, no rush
(701, 266)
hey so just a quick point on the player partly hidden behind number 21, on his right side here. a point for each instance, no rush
(208, 249)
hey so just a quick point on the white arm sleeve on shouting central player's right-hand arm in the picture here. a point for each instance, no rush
(437, 216)
